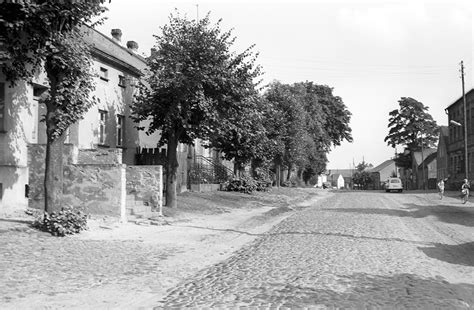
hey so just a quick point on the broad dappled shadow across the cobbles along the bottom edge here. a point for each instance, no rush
(364, 291)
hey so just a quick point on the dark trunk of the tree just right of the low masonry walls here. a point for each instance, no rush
(172, 170)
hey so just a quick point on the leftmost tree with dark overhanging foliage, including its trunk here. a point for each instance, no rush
(45, 34)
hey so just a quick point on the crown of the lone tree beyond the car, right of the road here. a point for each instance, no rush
(411, 126)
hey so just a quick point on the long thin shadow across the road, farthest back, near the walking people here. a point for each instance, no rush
(446, 213)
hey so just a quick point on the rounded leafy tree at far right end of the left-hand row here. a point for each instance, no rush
(307, 121)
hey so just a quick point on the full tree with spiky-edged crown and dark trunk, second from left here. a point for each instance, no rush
(195, 86)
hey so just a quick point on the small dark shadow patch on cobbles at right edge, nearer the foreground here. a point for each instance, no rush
(459, 254)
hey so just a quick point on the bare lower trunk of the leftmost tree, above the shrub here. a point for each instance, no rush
(53, 174)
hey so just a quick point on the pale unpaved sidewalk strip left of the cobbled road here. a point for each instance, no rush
(129, 265)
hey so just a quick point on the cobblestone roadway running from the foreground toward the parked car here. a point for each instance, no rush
(353, 250)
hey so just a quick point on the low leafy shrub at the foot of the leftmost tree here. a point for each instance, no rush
(68, 221)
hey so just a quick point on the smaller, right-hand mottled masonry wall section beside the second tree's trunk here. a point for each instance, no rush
(145, 183)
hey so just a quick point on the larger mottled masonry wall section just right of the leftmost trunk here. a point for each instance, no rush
(95, 187)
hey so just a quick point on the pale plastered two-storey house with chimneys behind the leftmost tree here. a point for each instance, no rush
(106, 125)
